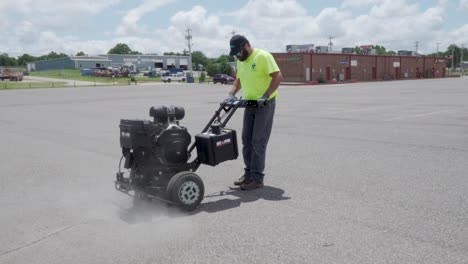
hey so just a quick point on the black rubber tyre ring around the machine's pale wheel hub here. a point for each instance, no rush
(177, 181)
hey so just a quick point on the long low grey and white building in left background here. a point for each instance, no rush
(137, 62)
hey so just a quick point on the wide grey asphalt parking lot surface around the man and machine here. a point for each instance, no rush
(356, 173)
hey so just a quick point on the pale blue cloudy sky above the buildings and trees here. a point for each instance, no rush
(37, 27)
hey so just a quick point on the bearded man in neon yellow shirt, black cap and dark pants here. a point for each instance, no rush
(258, 76)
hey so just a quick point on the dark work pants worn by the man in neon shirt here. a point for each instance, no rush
(255, 135)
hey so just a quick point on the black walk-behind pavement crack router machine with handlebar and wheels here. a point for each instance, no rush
(157, 153)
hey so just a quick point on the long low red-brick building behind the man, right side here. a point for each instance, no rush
(308, 67)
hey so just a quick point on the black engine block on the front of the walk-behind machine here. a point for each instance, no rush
(155, 150)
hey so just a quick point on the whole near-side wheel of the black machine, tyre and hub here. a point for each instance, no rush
(186, 189)
